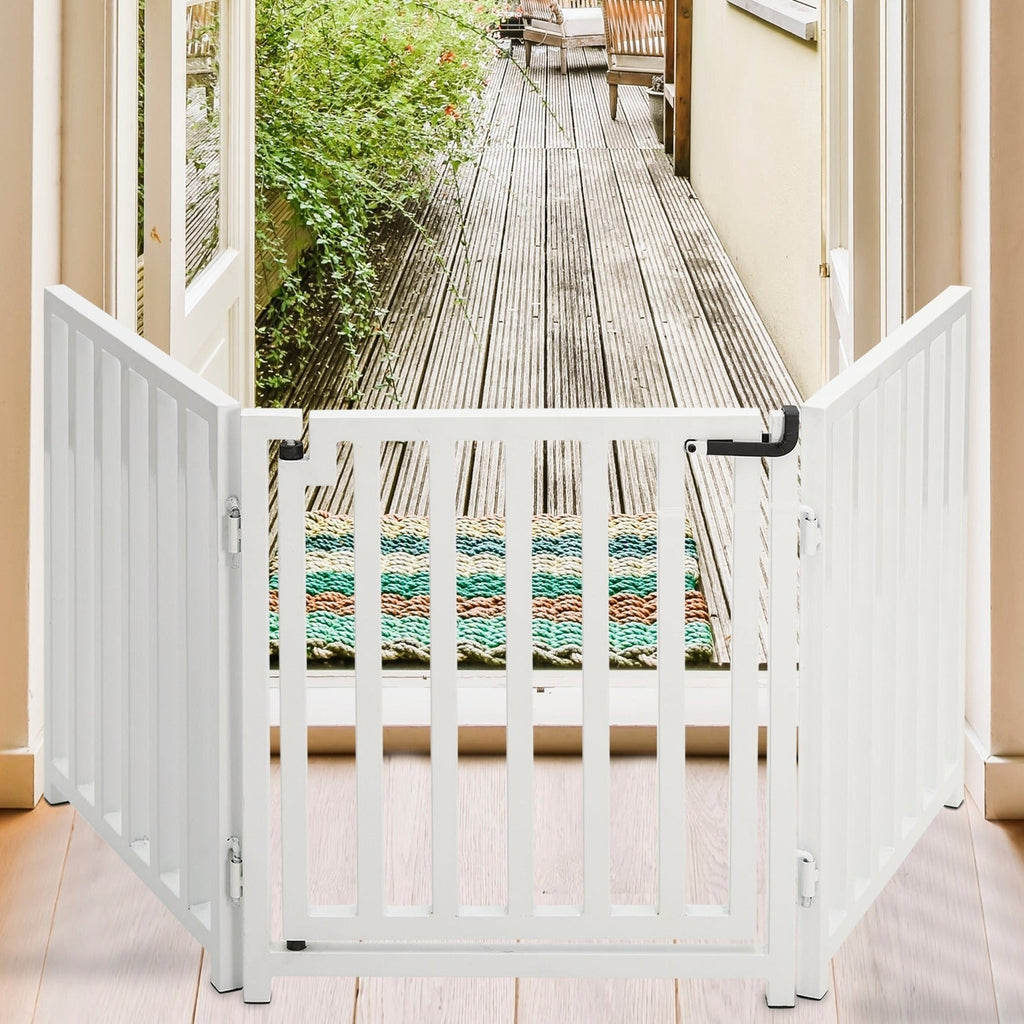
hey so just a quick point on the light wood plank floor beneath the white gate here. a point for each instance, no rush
(82, 941)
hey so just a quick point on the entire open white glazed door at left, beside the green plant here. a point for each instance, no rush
(198, 228)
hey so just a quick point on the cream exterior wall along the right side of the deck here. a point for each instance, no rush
(756, 164)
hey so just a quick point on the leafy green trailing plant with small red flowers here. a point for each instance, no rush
(359, 106)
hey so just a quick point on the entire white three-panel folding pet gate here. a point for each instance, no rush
(157, 668)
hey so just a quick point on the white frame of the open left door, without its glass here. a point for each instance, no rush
(209, 325)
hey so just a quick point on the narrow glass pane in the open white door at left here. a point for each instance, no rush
(203, 146)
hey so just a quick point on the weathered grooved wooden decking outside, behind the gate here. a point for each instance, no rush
(567, 268)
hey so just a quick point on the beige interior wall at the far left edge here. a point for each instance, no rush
(30, 228)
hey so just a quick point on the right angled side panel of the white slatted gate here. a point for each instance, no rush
(883, 623)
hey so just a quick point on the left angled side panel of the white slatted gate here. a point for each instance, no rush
(141, 464)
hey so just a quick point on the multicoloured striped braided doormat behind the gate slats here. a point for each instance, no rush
(558, 573)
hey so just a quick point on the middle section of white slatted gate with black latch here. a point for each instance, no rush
(593, 934)
